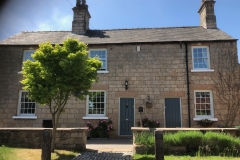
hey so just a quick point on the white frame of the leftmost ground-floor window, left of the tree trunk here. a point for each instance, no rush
(22, 115)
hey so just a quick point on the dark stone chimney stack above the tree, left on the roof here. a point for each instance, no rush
(80, 23)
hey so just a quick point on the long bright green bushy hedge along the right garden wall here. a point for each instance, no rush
(210, 143)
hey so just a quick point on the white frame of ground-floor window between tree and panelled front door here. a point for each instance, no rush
(96, 116)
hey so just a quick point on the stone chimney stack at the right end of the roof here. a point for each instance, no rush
(207, 15)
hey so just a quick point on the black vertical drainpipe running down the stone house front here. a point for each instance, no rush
(188, 88)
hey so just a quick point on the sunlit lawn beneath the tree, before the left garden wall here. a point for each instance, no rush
(7, 153)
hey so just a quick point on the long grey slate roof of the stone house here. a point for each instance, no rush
(119, 36)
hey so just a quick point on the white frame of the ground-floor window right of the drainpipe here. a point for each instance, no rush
(200, 117)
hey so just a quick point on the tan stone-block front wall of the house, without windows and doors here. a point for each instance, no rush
(157, 71)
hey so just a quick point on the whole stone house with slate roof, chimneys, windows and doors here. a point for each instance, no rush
(168, 68)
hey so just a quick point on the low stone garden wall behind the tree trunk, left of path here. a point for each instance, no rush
(66, 138)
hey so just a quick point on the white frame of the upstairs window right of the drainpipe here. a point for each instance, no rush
(208, 69)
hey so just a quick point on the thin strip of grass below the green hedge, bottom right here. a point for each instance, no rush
(151, 157)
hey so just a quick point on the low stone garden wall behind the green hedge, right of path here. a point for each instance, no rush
(140, 149)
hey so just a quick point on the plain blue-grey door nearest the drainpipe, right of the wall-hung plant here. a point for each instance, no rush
(172, 113)
